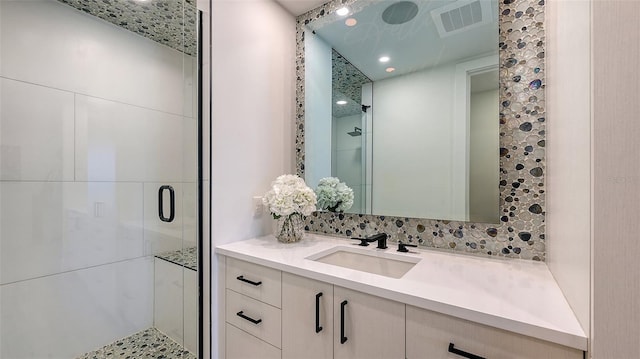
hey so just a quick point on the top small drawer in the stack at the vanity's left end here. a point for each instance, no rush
(255, 281)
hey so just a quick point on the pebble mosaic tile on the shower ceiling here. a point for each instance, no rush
(169, 22)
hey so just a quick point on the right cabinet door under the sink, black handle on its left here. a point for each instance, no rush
(366, 326)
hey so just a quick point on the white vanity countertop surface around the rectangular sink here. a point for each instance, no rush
(515, 295)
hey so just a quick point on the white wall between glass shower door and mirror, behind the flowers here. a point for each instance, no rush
(253, 122)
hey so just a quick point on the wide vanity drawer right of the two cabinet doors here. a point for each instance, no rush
(429, 334)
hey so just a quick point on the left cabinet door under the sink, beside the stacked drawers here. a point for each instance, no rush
(307, 318)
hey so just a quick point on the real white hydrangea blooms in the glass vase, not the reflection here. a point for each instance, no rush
(288, 195)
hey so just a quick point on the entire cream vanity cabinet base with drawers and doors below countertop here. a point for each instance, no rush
(276, 314)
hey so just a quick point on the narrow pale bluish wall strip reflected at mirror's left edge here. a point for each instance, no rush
(318, 119)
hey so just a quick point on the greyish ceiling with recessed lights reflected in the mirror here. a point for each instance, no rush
(412, 46)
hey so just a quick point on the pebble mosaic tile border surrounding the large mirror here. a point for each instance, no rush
(521, 232)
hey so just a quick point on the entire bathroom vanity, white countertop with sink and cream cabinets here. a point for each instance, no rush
(320, 298)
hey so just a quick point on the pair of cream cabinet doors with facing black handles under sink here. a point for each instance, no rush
(324, 321)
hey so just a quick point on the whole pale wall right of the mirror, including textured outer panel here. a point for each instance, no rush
(592, 214)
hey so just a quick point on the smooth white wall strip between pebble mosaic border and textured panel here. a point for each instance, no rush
(569, 151)
